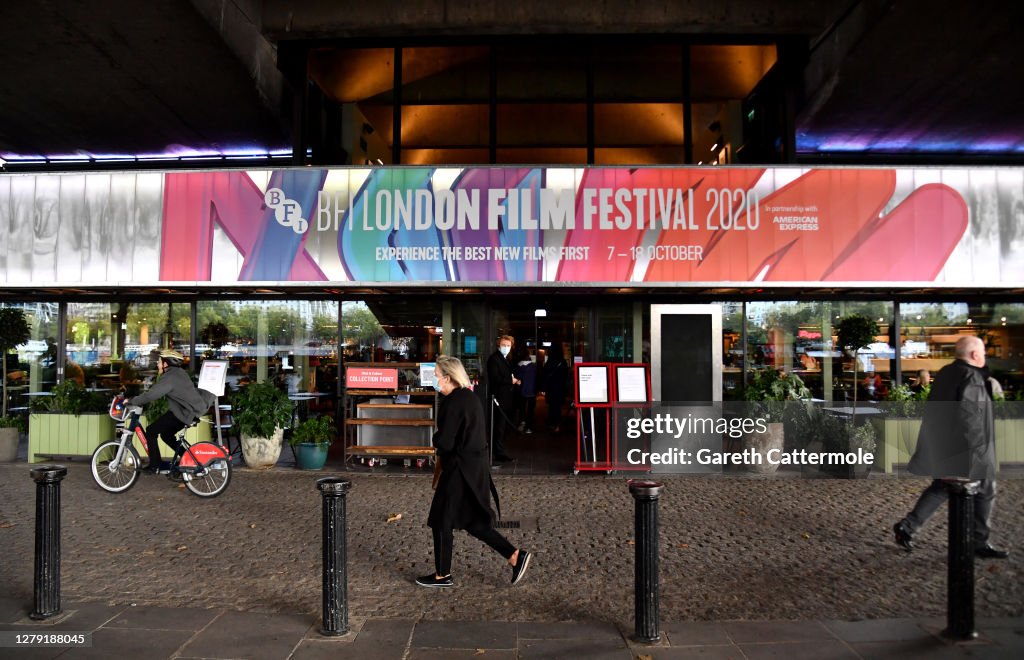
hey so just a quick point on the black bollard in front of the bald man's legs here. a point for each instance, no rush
(960, 604)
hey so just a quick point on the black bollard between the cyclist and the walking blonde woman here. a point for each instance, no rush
(335, 562)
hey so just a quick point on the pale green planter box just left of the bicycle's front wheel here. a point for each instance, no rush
(55, 434)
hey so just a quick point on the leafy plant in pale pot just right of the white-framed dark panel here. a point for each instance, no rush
(770, 391)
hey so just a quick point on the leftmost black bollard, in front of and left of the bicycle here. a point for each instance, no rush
(48, 576)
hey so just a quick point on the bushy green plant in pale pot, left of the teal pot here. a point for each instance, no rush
(263, 414)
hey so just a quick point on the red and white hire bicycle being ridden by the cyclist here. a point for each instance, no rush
(205, 467)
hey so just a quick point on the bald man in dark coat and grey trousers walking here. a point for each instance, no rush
(957, 439)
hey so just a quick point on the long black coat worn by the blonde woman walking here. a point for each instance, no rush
(462, 500)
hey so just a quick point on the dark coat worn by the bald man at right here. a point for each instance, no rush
(958, 433)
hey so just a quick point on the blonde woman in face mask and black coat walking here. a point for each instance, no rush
(462, 498)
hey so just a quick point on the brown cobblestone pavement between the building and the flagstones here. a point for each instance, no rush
(732, 549)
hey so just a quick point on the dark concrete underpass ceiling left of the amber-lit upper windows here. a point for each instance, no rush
(124, 77)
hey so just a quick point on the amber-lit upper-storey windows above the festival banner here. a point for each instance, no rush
(541, 102)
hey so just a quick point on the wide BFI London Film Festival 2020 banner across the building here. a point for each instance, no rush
(847, 227)
